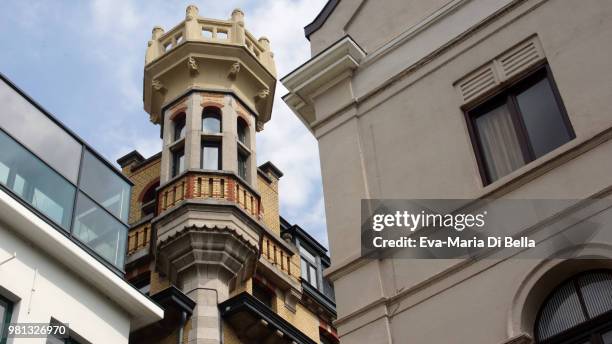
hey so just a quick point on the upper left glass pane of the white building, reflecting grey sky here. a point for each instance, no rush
(39, 133)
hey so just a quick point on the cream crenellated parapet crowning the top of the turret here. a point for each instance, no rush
(197, 29)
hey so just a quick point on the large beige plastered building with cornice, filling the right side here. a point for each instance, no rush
(463, 99)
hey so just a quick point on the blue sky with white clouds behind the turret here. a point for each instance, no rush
(83, 61)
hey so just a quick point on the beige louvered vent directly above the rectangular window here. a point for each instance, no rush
(507, 65)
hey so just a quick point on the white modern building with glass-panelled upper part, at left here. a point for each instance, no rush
(62, 237)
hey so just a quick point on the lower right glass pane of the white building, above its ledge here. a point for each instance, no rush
(99, 231)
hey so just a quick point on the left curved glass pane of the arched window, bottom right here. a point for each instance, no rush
(561, 312)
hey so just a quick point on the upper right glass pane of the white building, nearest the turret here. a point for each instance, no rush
(103, 184)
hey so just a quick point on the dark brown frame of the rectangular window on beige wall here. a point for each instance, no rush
(507, 96)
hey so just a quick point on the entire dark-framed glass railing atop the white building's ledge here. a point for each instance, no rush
(60, 178)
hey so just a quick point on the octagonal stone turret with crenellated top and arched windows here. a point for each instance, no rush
(210, 85)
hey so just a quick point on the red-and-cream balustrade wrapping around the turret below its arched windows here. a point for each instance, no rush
(209, 185)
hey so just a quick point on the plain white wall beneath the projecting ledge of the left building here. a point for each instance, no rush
(58, 293)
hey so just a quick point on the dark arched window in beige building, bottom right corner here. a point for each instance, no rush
(578, 311)
